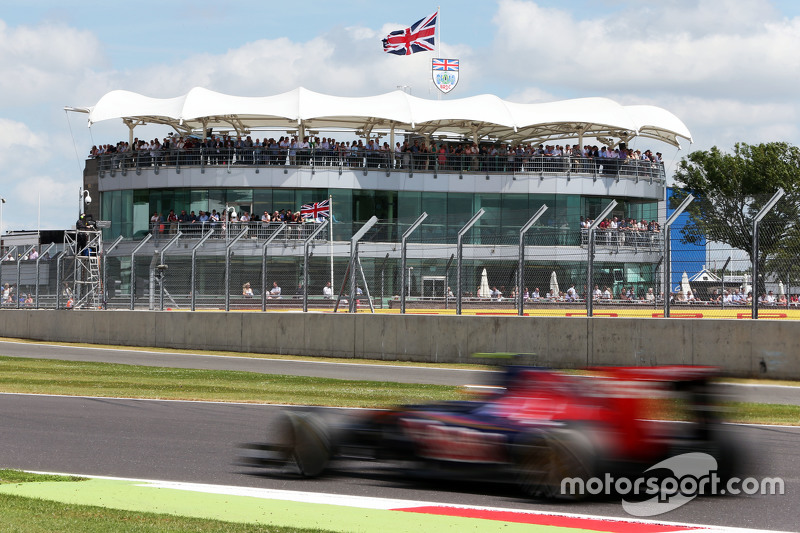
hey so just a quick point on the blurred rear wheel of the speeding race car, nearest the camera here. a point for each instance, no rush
(547, 458)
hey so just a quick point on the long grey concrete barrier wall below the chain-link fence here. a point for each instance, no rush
(745, 348)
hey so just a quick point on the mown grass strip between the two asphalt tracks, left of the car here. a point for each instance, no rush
(71, 378)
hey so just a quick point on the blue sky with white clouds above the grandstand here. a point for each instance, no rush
(729, 69)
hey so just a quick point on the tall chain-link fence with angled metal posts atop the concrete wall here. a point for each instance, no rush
(608, 262)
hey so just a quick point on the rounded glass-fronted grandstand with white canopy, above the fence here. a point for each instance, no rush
(395, 156)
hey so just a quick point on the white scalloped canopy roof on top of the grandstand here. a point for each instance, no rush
(485, 117)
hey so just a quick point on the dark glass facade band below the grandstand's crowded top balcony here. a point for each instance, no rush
(129, 210)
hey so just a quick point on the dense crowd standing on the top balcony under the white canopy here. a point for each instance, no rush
(408, 155)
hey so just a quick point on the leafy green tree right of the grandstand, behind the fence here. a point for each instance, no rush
(730, 189)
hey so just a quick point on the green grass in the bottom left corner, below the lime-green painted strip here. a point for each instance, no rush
(29, 515)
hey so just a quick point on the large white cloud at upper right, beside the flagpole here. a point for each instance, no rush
(726, 49)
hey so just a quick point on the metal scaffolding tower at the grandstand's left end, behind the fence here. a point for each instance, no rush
(83, 252)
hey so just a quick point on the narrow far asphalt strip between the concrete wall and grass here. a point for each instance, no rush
(778, 394)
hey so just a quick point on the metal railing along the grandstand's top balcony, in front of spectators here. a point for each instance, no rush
(410, 162)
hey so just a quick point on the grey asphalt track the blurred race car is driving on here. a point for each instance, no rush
(195, 442)
